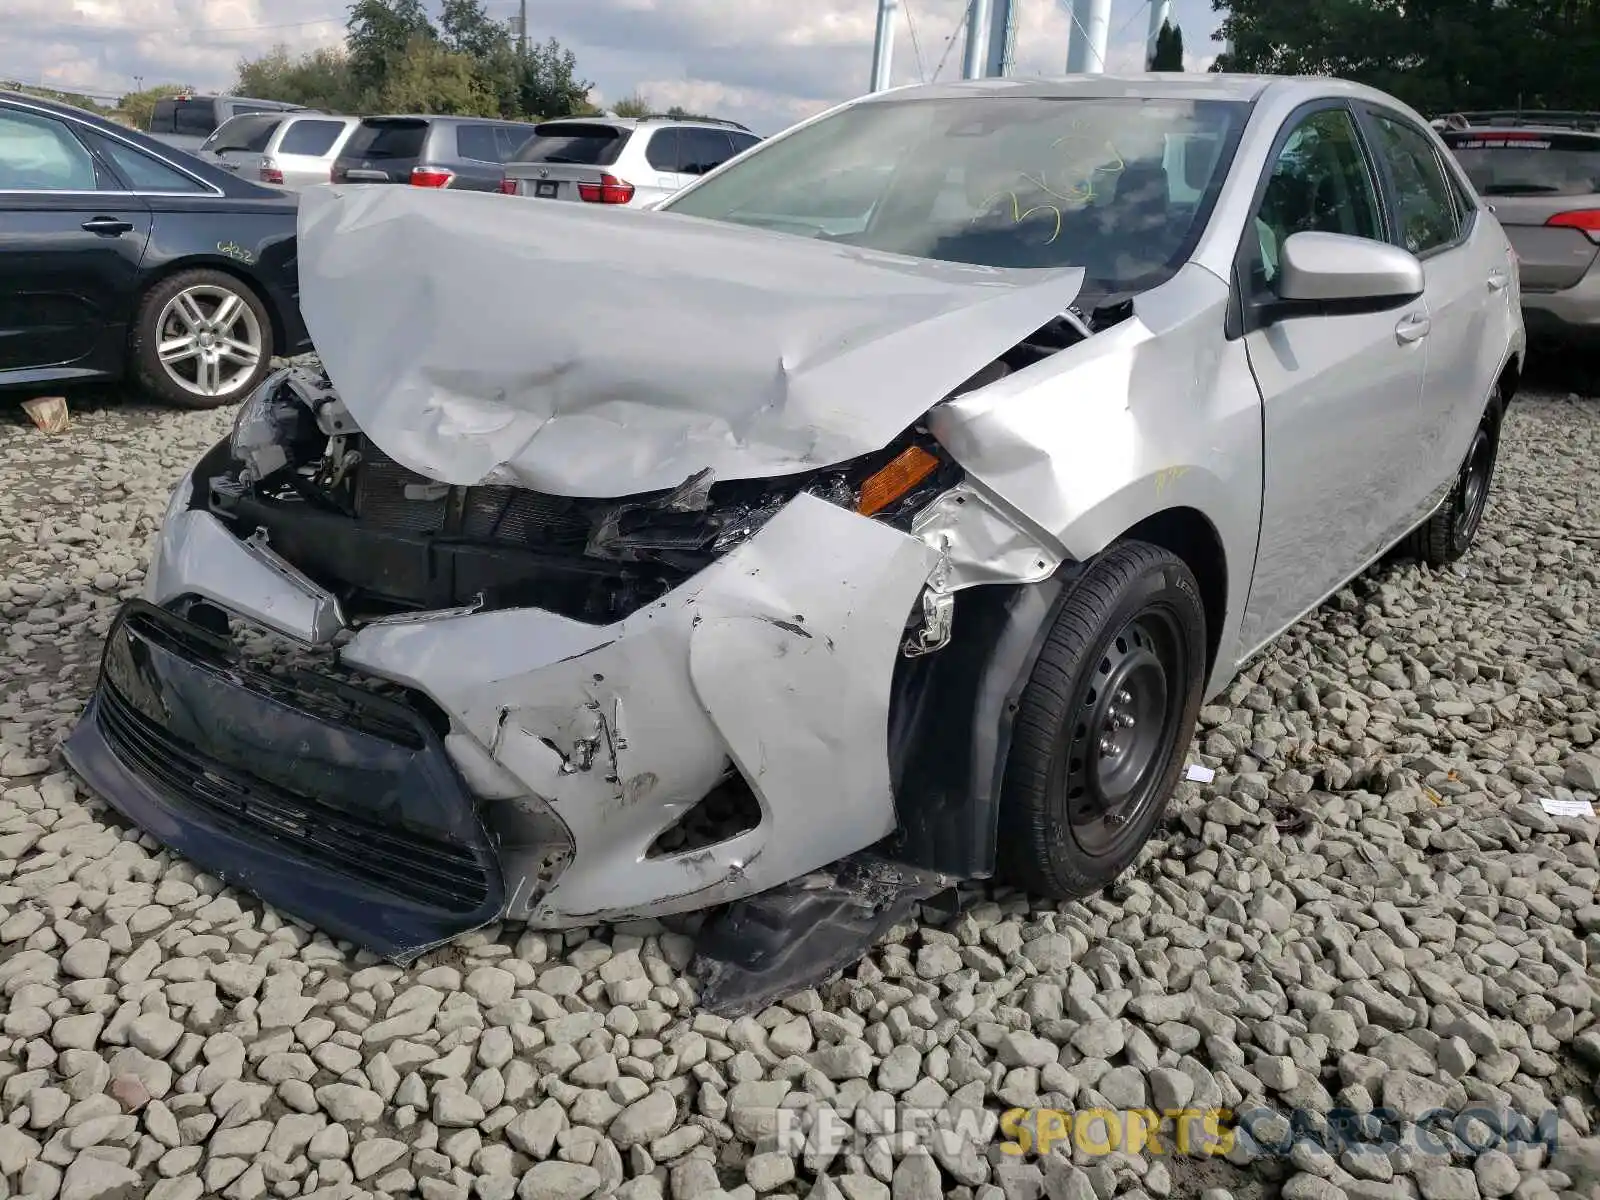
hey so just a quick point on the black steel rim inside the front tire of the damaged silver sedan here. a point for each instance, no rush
(1127, 716)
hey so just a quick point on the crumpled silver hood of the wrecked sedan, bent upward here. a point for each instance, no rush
(590, 351)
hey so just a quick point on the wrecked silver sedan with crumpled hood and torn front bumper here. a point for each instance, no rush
(871, 518)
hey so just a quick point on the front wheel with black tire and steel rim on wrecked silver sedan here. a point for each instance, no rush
(1103, 724)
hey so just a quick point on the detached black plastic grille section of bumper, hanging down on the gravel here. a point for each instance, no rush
(322, 799)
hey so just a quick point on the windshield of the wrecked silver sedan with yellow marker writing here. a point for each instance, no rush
(1121, 188)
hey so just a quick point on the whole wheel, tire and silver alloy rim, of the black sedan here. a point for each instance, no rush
(201, 340)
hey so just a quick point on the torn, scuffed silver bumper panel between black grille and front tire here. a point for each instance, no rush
(780, 658)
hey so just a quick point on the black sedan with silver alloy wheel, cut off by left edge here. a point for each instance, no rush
(124, 257)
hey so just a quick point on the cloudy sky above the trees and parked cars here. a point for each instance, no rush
(761, 62)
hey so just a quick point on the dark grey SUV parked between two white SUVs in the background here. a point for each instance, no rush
(462, 153)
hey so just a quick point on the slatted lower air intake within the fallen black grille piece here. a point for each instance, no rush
(430, 871)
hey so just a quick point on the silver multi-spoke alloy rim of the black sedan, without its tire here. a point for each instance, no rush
(210, 340)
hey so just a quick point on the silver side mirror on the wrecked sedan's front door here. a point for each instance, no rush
(1340, 274)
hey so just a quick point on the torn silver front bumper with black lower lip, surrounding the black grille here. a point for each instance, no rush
(775, 663)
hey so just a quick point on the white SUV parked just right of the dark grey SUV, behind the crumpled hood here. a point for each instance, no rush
(622, 161)
